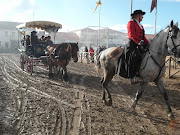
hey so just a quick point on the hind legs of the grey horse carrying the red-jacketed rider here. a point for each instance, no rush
(108, 75)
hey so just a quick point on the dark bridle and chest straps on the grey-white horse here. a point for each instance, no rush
(174, 50)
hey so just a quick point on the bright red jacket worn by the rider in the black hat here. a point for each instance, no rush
(135, 32)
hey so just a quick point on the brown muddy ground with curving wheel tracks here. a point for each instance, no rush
(37, 105)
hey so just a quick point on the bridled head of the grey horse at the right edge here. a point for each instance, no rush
(173, 39)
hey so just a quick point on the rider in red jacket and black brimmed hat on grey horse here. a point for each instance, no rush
(136, 35)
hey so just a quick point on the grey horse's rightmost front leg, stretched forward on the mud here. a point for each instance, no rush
(160, 85)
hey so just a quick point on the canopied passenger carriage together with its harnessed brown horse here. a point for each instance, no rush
(38, 53)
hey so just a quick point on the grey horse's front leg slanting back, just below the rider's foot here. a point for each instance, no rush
(138, 95)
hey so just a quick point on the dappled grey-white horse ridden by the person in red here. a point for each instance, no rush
(152, 68)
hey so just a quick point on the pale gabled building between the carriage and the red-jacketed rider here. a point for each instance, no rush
(91, 37)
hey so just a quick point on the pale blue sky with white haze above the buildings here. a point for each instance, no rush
(78, 14)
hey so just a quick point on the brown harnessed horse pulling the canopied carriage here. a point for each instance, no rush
(62, 55)
